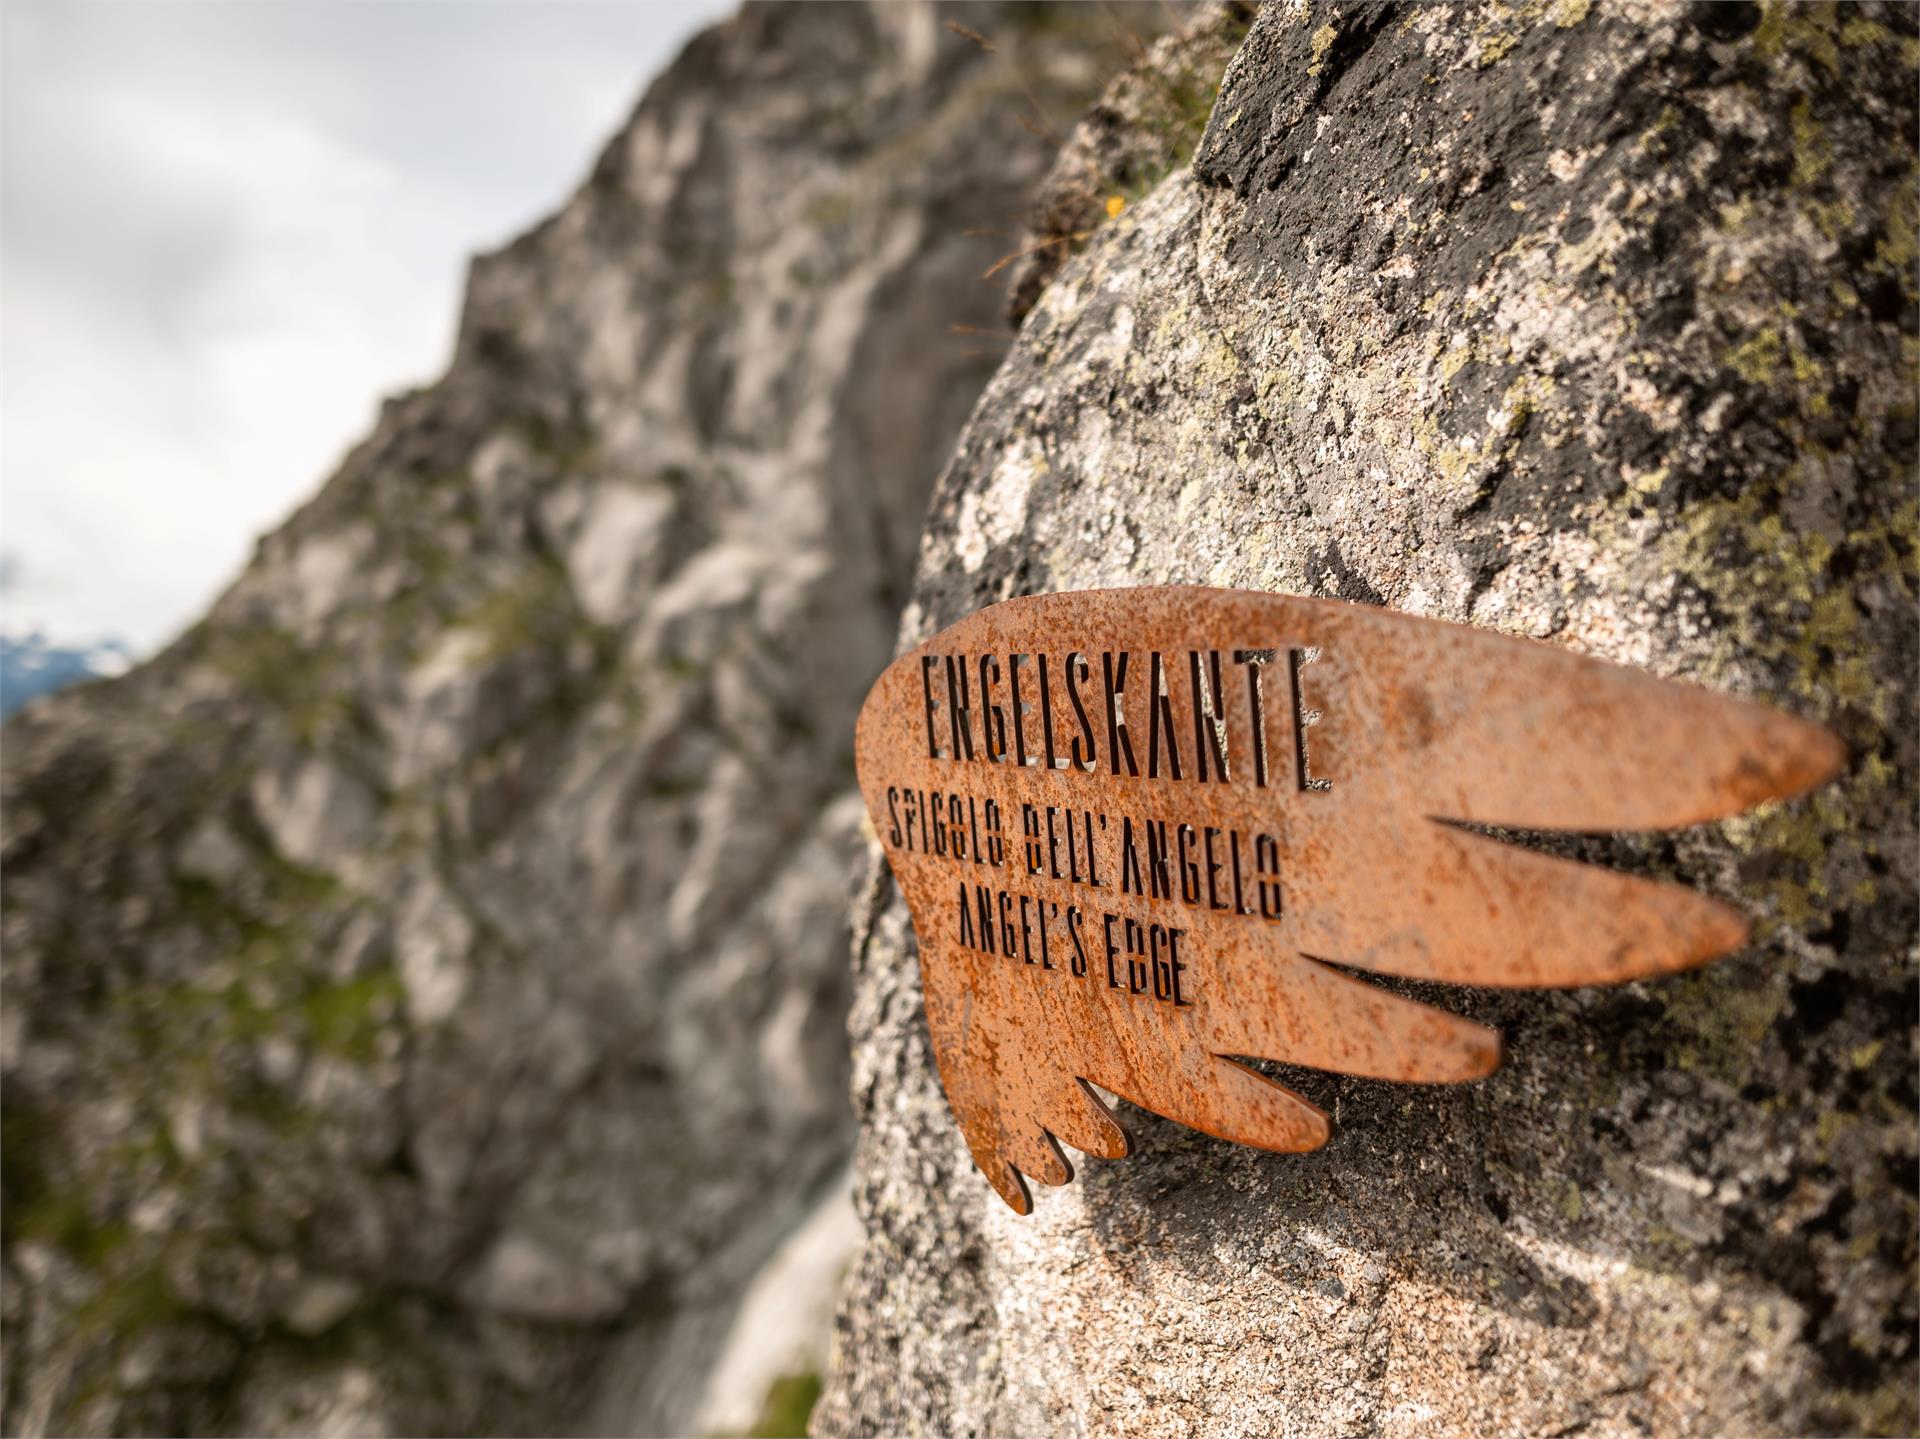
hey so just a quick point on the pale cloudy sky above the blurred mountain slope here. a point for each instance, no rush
(228, 230)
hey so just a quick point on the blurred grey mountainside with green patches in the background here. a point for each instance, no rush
(425, 983)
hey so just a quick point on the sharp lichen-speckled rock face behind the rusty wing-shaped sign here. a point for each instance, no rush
(1585, 324)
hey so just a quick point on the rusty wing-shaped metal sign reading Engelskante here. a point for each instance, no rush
(1138, 831)
